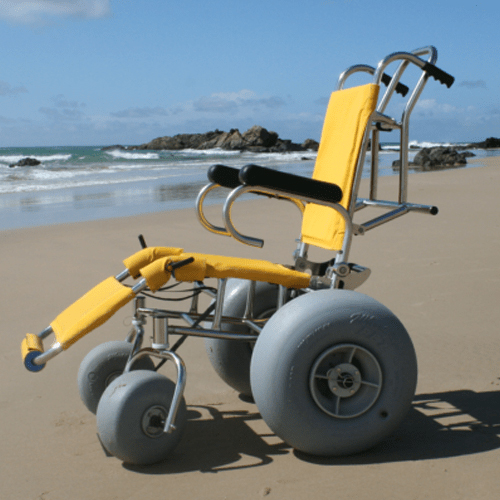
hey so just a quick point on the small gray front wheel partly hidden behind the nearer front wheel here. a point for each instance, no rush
(101, 366)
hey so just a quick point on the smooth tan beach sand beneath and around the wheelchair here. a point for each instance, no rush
(440, 275)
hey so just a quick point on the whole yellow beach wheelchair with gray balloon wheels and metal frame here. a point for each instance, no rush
(332, 371)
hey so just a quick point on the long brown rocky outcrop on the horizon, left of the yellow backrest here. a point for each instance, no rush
(256, 139)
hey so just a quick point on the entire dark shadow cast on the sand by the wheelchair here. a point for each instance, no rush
(439, 425)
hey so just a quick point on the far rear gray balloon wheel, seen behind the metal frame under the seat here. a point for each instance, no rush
(231, 358)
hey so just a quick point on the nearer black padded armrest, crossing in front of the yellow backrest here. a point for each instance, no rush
(294, 185)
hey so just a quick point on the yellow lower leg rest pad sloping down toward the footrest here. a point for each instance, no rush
(90, 311)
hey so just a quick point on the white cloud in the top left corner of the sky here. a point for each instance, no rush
(36, 11)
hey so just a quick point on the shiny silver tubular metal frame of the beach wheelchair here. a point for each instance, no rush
(336, 273)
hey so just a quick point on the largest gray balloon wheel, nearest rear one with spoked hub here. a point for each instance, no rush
(333, 372)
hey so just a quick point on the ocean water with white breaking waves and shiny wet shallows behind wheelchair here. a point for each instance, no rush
(78, 183)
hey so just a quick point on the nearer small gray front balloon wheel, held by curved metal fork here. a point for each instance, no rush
(131, 417)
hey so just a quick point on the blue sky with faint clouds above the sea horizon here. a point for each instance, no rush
(103, 72)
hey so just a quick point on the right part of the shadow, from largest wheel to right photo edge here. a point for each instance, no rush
(439, 425)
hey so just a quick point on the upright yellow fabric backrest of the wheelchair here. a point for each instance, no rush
(347, 117)
